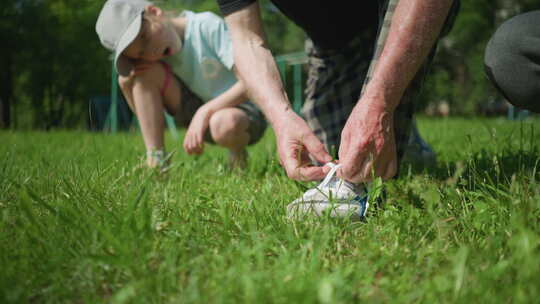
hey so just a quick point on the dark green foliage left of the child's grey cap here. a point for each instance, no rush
(55, 58)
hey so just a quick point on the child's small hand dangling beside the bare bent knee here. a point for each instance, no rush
(194, 139)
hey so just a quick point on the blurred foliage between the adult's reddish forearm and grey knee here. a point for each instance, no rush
(457, 75)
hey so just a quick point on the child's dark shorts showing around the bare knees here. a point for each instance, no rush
(190, 103)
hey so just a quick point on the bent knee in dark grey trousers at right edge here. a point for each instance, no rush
(512, 60)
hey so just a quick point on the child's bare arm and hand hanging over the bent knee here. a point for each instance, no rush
(194, 139)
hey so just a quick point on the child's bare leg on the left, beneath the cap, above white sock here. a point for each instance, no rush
(143, 94)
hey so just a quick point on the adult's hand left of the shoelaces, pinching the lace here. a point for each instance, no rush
(296, 142)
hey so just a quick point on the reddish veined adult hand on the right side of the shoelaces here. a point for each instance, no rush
(368, 148)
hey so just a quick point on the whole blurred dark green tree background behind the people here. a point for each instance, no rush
(56, 75)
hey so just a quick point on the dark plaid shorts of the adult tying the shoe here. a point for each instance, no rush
(334, 84)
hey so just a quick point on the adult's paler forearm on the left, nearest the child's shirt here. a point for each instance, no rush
(255, 64)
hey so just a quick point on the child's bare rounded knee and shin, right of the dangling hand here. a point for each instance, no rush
(229, 129)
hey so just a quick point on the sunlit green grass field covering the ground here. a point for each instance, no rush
(80, 223)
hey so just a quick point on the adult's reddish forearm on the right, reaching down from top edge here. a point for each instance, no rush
(415, 27)
